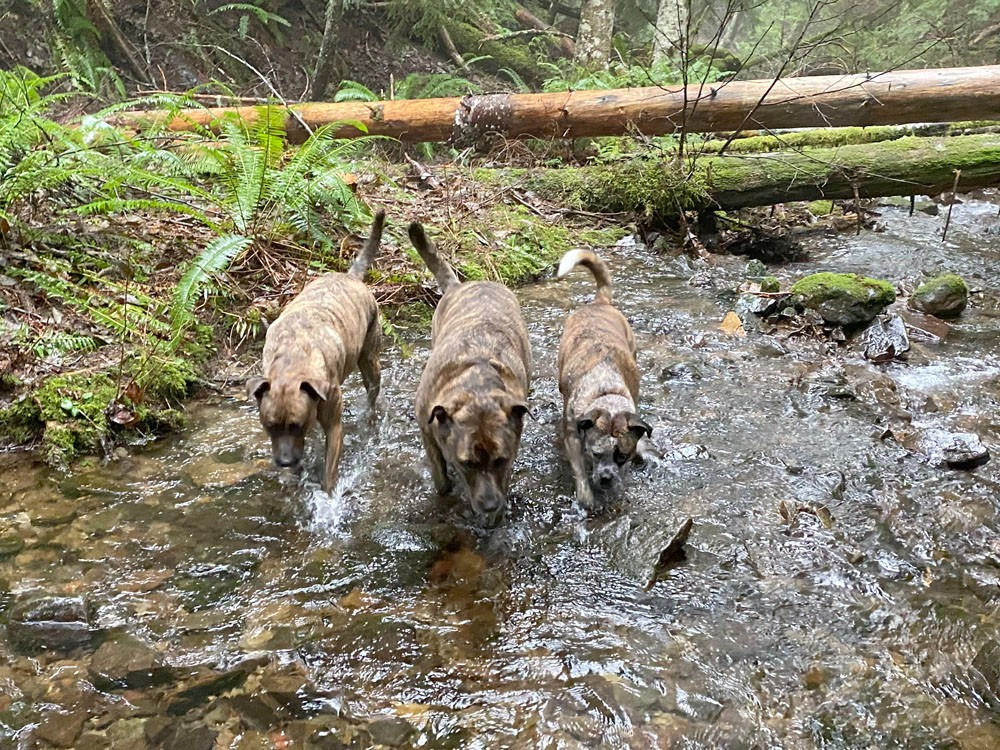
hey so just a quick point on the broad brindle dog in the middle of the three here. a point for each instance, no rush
(472, 396)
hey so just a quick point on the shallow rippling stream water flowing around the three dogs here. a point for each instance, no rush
(840, 591)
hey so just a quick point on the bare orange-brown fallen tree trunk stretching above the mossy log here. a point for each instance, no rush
(898, 97)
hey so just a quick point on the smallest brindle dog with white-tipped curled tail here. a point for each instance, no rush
(599, 381)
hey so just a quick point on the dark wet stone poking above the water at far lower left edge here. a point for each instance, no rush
(49, 622)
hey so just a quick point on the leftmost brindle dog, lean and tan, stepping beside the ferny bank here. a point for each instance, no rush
(330, 329)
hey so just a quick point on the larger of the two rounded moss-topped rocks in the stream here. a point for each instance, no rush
(843, 299)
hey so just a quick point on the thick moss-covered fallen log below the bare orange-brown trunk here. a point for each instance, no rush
(659, 188)
